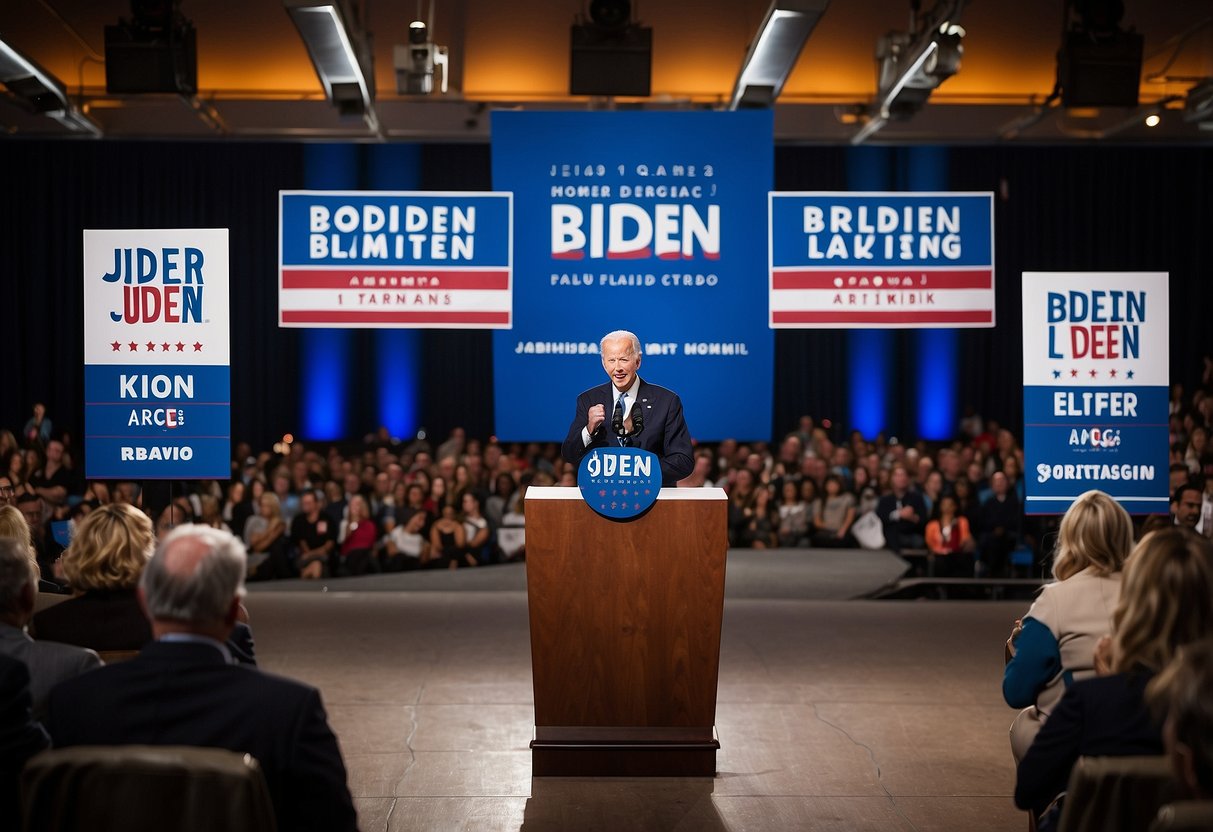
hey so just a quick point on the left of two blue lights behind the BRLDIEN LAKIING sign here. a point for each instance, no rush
(869, 352)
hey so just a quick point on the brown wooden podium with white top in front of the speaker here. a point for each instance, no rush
(625, 622)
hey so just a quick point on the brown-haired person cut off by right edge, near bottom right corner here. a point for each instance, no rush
(1184, 693)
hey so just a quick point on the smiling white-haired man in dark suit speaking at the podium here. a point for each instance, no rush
(629, 411)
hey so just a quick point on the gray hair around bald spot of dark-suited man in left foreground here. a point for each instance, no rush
(204, 595)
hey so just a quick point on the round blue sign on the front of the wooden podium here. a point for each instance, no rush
(620, 483)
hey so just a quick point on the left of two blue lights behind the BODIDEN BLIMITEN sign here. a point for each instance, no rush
(324, 369)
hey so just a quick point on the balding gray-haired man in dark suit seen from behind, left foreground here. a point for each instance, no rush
(185, 689)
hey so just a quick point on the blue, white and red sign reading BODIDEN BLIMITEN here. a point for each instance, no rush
(378, 259)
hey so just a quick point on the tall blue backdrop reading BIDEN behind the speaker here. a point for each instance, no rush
(653, 223)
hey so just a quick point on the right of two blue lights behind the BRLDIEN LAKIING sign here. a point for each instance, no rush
(936, 355)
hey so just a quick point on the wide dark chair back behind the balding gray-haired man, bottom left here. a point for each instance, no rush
(145, 789)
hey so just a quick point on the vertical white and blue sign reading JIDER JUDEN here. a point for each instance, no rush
(157, 377)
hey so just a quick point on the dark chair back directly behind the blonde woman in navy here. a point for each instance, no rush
(1115, 794)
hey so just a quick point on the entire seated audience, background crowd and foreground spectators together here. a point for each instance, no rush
(1086, 663)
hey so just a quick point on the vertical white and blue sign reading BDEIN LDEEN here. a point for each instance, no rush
(1096, 379)
